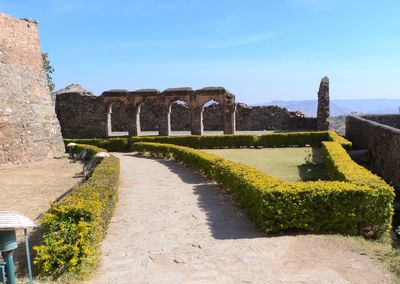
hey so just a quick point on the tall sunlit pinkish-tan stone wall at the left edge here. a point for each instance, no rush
(29, 129)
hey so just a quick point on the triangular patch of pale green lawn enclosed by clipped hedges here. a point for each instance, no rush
(291, 164)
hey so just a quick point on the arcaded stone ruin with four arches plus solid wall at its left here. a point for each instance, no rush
(84, 115)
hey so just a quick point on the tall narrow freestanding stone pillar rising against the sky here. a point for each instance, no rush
(323, 105)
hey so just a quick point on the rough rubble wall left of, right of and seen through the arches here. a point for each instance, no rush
(84, 115)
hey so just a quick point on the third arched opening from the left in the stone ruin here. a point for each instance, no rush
(180, 117)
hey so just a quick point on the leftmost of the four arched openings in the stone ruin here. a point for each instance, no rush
(117, 123)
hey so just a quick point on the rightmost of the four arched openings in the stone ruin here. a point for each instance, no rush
(213, 119)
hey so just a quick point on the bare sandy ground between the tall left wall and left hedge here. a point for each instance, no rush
(29, 188)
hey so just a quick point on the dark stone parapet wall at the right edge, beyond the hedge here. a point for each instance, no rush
(381, 140)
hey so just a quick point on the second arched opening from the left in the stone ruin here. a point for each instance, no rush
(147, 119)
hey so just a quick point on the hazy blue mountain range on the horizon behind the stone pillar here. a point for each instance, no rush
(343, 107)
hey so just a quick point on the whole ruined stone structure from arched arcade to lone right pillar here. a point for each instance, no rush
(83, 115)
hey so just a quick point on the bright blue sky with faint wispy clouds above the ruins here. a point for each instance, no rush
(259, 50)
